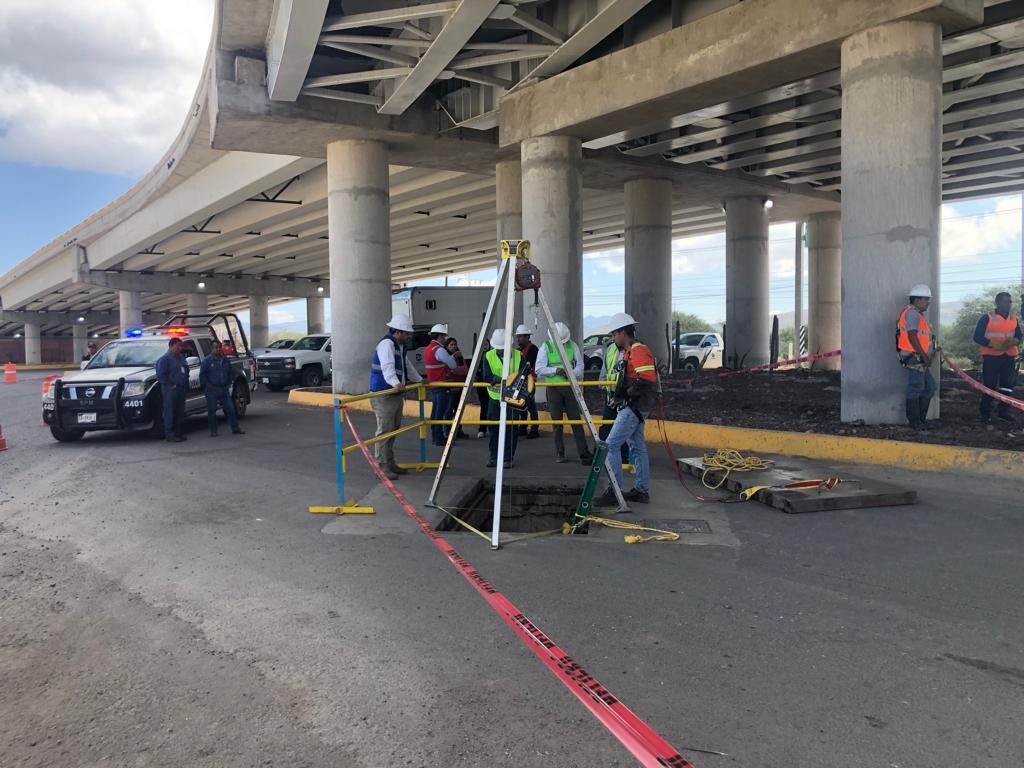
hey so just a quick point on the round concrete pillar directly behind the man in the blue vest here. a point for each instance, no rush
(360, 244)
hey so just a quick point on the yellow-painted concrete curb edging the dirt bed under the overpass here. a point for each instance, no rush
(923, 457)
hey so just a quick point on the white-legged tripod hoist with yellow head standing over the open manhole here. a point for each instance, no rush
(518, 274)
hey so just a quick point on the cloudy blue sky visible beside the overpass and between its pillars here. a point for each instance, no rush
(93, 97)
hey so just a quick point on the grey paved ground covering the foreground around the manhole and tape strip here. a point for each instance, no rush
(169, 606)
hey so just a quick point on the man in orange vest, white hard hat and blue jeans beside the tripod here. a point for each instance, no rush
(633, 397)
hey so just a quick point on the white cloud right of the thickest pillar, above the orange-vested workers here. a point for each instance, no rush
(969, 239)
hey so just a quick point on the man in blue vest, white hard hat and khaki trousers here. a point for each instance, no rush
(391, 370)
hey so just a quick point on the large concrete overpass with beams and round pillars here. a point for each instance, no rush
(344, 147)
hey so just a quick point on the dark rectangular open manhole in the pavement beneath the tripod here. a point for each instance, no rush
(527, 508)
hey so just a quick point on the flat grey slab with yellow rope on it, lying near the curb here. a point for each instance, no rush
(854, 493)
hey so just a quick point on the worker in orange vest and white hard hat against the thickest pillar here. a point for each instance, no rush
(916, 347)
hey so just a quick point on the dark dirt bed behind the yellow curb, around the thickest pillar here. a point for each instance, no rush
(809, 402)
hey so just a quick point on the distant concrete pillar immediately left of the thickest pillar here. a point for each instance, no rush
(825, 287)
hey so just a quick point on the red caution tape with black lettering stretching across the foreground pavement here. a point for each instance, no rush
(636, 736)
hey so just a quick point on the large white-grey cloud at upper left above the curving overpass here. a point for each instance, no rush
(100, 86)
